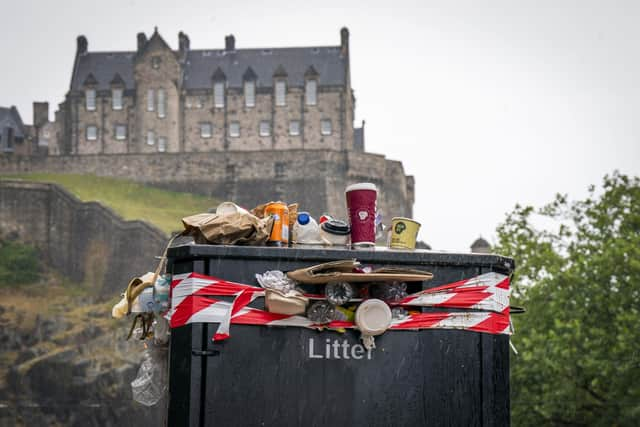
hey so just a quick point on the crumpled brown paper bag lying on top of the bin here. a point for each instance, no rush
(231, 229)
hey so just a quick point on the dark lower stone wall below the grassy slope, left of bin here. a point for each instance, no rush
(86, 241)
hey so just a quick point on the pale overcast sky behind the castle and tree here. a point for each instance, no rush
(487, 103)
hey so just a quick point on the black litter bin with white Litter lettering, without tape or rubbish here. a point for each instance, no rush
(285, 376)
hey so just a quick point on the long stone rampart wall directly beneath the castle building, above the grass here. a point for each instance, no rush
(314, 178)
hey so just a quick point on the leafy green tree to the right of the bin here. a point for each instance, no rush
(579, 279)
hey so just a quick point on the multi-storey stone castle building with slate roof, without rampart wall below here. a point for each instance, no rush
(156, 99)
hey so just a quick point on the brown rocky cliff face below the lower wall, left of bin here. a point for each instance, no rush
(64, 361)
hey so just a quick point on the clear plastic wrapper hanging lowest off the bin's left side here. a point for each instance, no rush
(150, 385)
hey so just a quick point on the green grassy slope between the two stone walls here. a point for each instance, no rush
(130, 200)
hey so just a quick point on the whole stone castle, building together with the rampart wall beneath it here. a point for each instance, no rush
(243, 124)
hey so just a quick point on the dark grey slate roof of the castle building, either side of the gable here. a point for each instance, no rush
(200, 65)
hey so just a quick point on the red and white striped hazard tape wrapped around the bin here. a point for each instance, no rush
(192, 302)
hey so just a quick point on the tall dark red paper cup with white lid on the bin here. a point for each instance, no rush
(361, 205)
